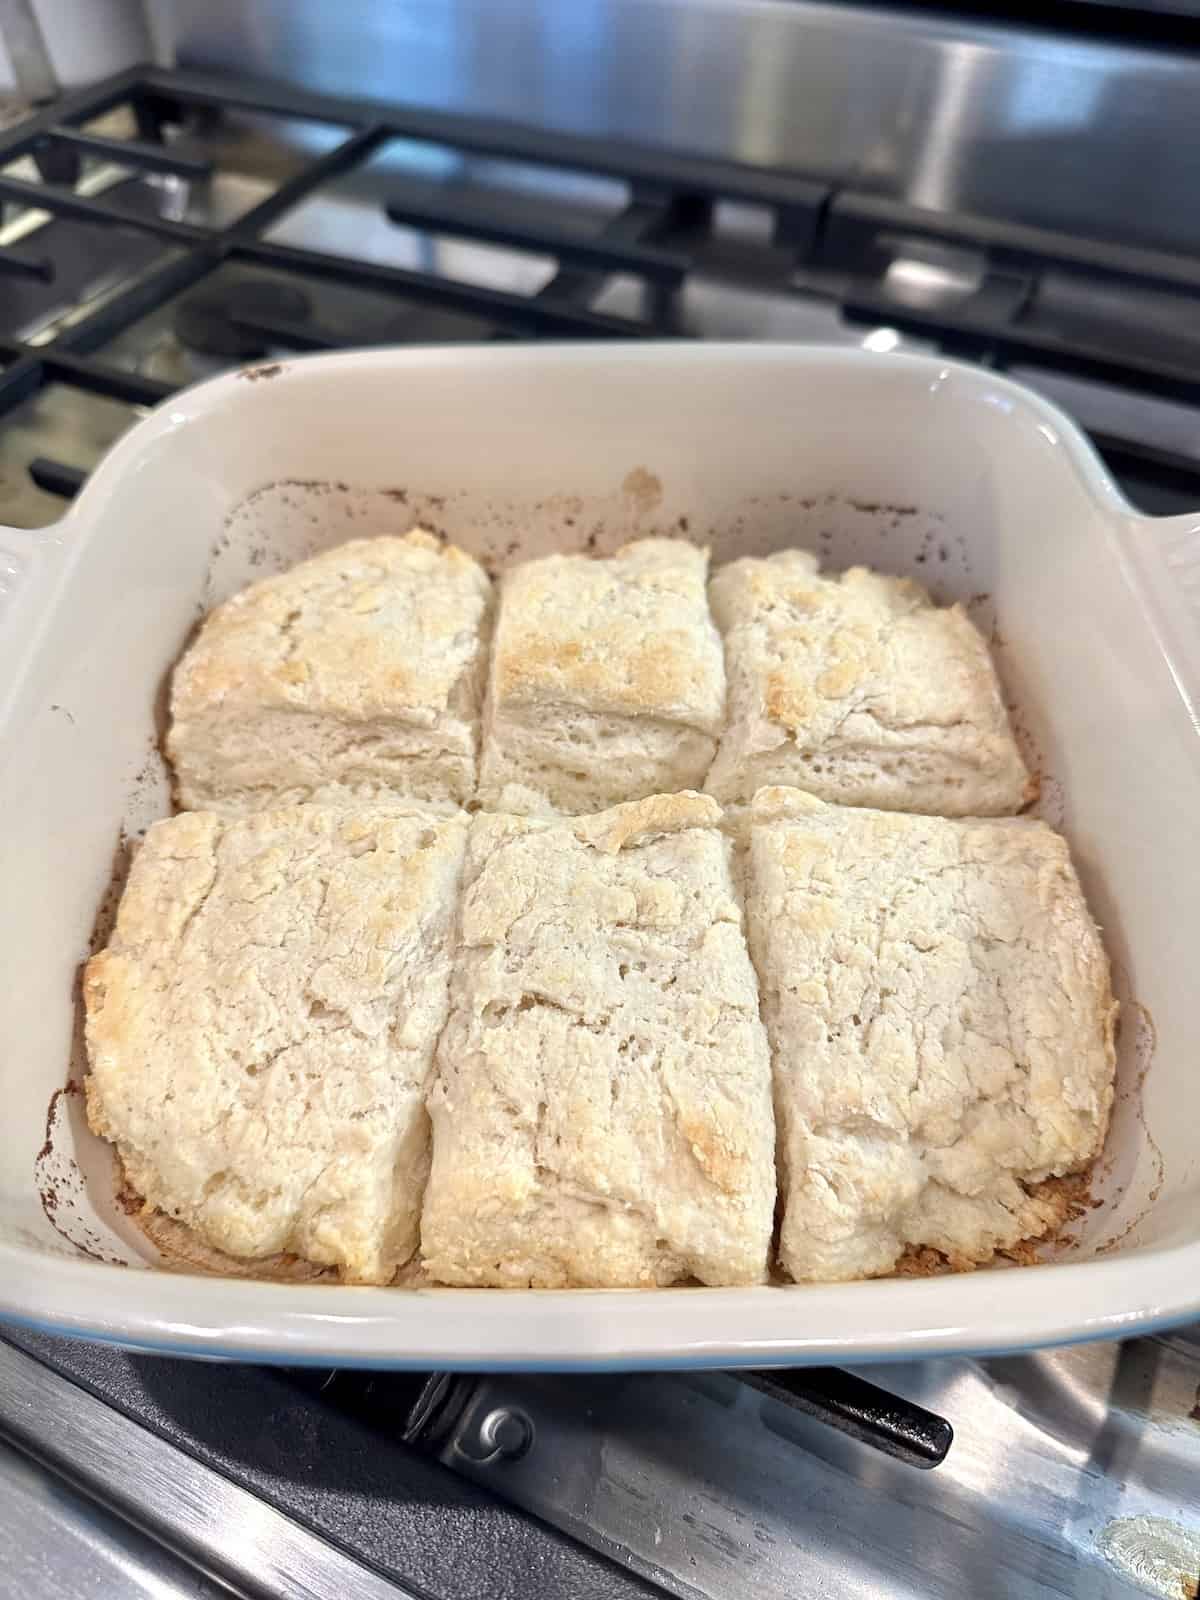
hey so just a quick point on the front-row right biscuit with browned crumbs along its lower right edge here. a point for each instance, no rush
(942, 1026)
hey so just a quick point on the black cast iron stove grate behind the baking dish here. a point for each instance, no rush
(826, 241)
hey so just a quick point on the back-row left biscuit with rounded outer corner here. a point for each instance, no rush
(356, 674)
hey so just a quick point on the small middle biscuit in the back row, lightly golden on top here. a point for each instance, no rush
(607, 681)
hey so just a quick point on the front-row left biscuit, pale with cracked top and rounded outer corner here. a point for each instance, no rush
(262, 1028)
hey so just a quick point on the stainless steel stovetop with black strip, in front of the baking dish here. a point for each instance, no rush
(1073, 1473)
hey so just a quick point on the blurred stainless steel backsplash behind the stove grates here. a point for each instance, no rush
(1047, 129)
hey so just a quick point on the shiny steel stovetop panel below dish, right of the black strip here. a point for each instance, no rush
(1073, 1473)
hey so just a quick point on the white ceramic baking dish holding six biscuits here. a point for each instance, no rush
(959, 478)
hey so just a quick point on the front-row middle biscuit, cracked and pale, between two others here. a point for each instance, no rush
(602, 1108)
